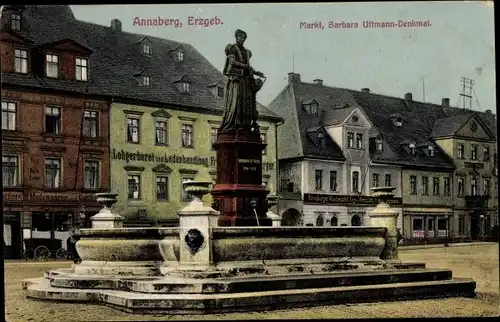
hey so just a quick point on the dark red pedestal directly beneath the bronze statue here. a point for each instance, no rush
(239, 179)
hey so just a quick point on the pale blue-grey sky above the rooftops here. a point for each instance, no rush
(459, 42)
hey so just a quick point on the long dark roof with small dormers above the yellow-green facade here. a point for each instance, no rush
(117, 57)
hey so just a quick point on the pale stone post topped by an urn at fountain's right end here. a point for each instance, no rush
(385, 216)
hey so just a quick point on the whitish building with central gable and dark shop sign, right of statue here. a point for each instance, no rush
(326, 166)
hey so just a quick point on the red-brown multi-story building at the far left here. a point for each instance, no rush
(55, 148)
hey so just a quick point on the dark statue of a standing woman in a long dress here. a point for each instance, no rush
(240, 108)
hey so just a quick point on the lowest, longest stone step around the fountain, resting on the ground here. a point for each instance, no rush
(248, 301)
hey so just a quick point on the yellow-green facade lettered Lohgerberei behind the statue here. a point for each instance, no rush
(154, 150)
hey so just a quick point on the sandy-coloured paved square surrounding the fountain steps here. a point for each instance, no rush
(477, 261)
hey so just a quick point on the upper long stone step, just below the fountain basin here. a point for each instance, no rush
(248, 284)
